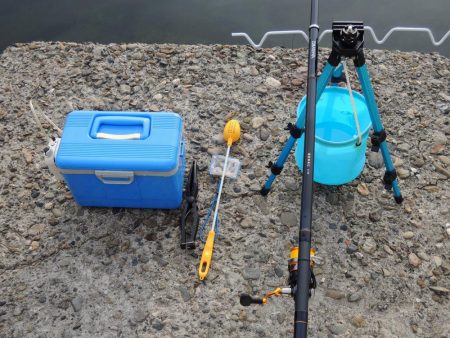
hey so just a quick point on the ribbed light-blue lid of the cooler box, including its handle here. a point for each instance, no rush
(134, 141)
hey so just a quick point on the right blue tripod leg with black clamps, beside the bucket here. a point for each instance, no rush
(379, 135)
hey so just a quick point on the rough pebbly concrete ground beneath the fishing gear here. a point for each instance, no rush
(67, 271)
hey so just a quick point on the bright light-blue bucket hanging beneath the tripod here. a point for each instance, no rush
(338, 160)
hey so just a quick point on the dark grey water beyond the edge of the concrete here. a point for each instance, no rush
(213, 21)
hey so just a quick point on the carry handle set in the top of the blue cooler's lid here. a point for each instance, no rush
(127, 127)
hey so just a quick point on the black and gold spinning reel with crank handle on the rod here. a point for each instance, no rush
(246, 299)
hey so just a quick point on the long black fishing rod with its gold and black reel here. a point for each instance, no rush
(301, 276)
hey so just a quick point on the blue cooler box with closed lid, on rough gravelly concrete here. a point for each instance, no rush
(123, 159)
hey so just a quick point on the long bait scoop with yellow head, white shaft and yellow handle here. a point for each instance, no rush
(231, 134)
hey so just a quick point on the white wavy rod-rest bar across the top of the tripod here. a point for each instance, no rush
(328, 31)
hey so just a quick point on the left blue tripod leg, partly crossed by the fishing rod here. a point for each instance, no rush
(295, 131)
